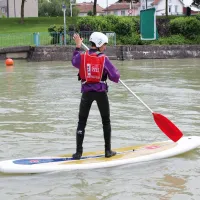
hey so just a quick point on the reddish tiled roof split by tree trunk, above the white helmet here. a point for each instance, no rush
(85, 7)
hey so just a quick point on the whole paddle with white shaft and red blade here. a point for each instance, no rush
(165, 125)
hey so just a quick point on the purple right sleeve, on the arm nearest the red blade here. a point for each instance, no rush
(112, 71)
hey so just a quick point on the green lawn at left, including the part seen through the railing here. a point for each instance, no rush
(13, 33)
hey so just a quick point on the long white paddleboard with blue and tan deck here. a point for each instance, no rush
(92, 160)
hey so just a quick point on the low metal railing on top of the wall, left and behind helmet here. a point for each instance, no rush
(46, 38)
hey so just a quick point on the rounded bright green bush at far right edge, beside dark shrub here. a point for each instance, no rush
(186, 26)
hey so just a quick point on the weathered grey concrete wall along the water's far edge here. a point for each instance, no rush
(64, 53)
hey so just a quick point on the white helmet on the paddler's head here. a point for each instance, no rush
(98, 38)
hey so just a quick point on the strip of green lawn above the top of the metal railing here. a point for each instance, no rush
(40, 24)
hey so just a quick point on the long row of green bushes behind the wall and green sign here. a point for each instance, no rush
(175, 30)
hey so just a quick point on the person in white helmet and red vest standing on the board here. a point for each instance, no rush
(94, 69)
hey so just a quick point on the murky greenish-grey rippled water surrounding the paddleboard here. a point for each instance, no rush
(38, 116)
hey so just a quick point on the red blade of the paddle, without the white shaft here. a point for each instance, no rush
(167, 127)
